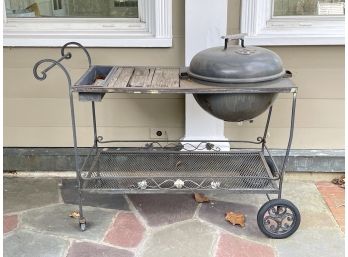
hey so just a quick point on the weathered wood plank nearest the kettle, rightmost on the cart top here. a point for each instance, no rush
(165, 78)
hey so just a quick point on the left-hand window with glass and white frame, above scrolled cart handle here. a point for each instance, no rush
(98, 23)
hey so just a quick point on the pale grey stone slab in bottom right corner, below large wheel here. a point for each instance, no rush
(311, 243)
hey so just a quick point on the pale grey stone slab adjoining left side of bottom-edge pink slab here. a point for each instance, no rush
(191, 239)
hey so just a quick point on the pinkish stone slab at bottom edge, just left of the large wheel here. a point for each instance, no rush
(232, 246)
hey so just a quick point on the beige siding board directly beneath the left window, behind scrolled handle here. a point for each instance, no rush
(27, 57)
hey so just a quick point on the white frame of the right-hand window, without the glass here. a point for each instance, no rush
(262, 28)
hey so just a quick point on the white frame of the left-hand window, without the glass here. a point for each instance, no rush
(153, 28)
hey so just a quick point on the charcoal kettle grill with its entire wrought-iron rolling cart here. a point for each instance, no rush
(172, 166)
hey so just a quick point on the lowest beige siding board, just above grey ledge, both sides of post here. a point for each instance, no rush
(304, 138)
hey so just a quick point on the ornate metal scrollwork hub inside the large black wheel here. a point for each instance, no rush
(279, 220)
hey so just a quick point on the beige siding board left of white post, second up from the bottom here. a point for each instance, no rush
(31, 112)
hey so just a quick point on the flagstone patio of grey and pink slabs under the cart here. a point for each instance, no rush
(37, 223)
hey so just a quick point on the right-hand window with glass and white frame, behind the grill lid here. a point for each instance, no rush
(293, 22)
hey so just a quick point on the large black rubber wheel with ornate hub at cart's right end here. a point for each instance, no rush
(278, 218)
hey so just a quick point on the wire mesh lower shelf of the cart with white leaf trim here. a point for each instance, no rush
(154, 171)
